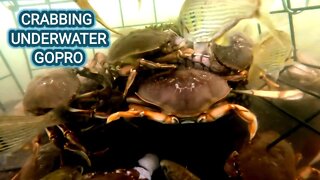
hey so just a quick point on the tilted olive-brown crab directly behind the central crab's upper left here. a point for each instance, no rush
(128, 53)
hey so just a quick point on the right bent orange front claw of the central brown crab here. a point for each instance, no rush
(241, 111)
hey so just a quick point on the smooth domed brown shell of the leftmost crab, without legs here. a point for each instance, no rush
(50, 90)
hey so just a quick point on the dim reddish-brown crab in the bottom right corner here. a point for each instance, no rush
(257, 161)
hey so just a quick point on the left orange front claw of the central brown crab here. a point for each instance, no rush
(152, 115)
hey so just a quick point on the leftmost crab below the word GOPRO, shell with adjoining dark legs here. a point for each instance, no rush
(60, 87)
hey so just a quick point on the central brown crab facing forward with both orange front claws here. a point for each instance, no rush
(182, 94)
